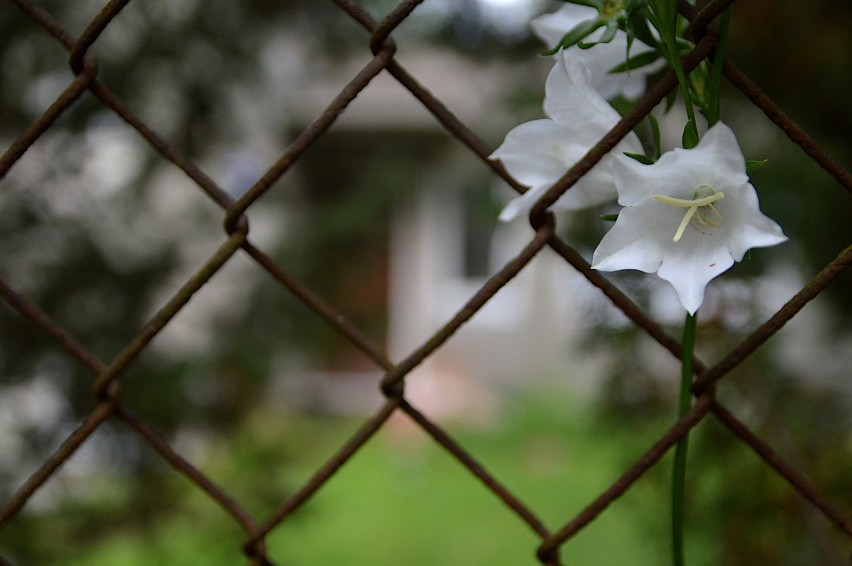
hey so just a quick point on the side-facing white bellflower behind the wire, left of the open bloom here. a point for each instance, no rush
(538, 153)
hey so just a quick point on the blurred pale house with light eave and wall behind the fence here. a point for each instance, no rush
(444, 240)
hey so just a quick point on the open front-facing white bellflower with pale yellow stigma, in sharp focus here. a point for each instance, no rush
(688, 217)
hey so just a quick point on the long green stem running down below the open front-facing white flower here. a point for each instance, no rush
(679, 475)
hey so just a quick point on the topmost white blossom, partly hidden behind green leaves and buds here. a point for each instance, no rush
(600, 58)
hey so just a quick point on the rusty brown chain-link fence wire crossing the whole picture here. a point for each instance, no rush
(237, 239)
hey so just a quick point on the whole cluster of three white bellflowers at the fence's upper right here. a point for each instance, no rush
(687, 217)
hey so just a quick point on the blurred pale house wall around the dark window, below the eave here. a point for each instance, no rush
(526, 332)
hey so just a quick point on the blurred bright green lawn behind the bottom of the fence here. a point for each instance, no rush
(402, 499)
